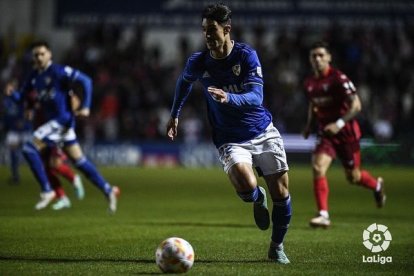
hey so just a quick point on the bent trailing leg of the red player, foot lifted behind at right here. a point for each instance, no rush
(350, 155)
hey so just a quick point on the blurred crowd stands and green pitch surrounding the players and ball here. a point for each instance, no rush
(134, 53)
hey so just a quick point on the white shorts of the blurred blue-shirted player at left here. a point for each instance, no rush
(53, 132)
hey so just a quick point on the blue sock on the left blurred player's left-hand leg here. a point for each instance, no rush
(32, 156)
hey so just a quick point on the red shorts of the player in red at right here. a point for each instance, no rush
(349, 153)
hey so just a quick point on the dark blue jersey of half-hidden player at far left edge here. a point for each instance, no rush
(13, 115)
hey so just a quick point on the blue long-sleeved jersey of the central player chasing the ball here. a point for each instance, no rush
(240, 75)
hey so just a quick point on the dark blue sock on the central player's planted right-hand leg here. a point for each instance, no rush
(281, 214)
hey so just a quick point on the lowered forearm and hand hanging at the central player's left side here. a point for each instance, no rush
(182, 90)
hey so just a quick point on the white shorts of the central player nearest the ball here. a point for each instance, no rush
(265, 152)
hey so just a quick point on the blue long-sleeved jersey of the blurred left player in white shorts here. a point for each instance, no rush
(51, 88)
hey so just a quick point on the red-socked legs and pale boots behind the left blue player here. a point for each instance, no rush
(55, 161)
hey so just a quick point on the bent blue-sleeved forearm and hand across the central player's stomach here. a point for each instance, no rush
(253, 96)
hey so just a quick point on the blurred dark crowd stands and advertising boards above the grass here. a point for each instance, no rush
(134, 53)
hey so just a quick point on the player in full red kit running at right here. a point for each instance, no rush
(334, 104)
